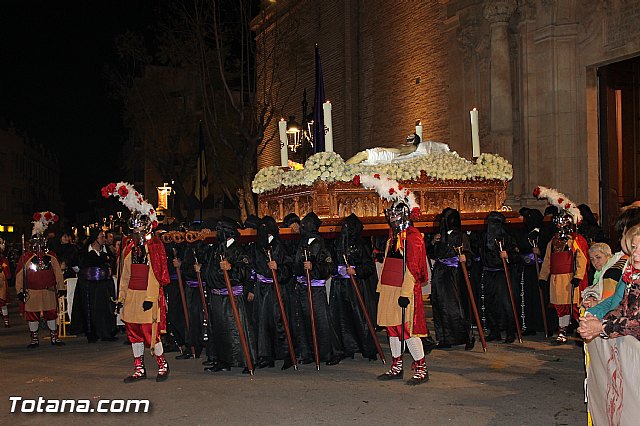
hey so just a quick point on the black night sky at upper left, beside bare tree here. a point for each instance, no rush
(53, 86)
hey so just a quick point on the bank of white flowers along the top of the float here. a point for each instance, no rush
(330, 167)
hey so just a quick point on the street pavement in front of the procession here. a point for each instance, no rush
(529, 383)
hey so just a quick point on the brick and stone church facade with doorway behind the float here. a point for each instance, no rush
(555, 81)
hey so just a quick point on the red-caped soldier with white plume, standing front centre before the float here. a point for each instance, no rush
(404, 271)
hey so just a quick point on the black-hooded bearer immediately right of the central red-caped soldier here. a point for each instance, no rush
(449, 296)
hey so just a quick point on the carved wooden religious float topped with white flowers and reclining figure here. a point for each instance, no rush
(333, 189)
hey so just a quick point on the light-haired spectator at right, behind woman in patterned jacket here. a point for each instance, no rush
(608, 270)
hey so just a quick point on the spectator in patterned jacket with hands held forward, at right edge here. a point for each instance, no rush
(625, 318)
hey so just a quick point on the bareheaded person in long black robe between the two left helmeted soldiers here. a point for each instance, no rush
(93, 306)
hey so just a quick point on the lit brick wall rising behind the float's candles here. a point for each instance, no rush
(384, 63)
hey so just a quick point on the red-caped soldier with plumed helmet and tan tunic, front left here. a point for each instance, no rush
(143, 274)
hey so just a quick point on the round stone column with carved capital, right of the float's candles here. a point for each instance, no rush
(498, 12)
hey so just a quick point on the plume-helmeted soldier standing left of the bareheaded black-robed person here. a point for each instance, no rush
(39, 281)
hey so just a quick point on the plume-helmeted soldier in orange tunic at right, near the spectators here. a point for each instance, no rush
(566, 261)
